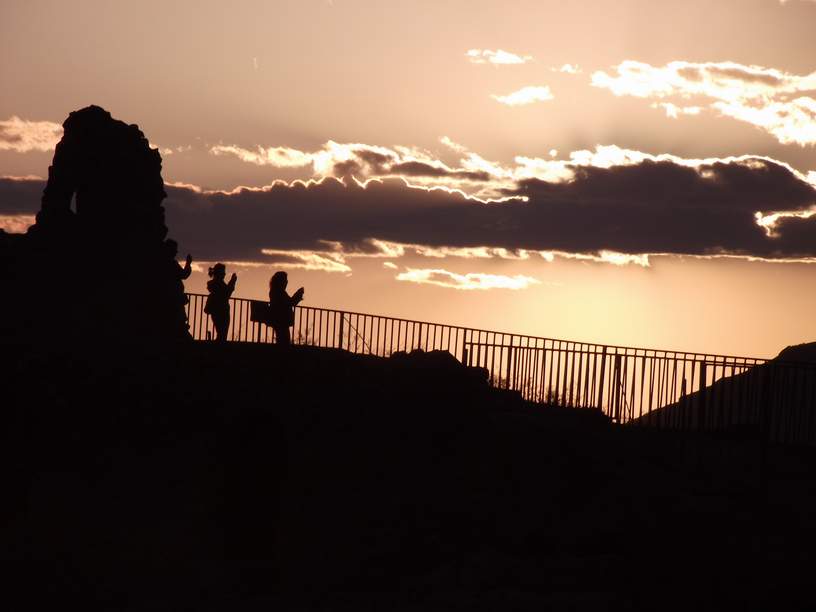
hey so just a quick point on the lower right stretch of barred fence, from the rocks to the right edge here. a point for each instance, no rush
(656, 388)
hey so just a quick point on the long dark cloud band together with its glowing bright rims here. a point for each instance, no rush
(609, 205)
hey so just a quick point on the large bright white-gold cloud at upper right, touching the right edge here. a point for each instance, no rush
(778, 102)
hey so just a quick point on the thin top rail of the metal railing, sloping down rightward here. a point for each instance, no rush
(685, 354)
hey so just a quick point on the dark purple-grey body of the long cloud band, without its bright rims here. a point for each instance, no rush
(649, 207)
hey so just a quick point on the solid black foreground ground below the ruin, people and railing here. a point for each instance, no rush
(204, 477)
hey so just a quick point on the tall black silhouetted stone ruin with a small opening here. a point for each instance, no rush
(96, 265)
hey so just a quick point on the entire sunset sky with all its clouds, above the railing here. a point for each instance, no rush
(634, 172)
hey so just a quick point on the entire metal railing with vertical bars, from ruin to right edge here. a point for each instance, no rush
(658, 388)
